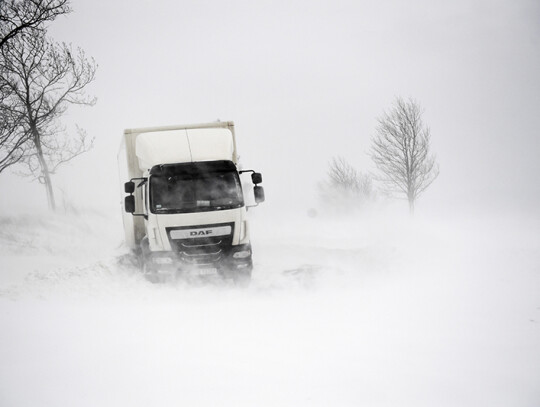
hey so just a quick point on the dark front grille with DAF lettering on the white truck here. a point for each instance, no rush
(202, 249)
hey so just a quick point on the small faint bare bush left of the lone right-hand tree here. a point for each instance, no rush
(345, 187)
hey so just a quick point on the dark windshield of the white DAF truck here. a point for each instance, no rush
(180, 193)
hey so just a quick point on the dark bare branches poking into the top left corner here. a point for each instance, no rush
(17, 16)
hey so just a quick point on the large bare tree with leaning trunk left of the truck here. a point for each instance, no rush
(43, 79)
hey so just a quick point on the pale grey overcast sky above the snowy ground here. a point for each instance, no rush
(305, 81)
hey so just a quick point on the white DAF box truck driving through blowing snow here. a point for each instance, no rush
(185, 212)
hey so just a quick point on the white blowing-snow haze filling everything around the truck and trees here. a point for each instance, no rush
(366, 308)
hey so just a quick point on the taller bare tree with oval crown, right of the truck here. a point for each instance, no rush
(401, 151)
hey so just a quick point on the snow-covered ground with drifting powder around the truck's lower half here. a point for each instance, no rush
(370, 312)
